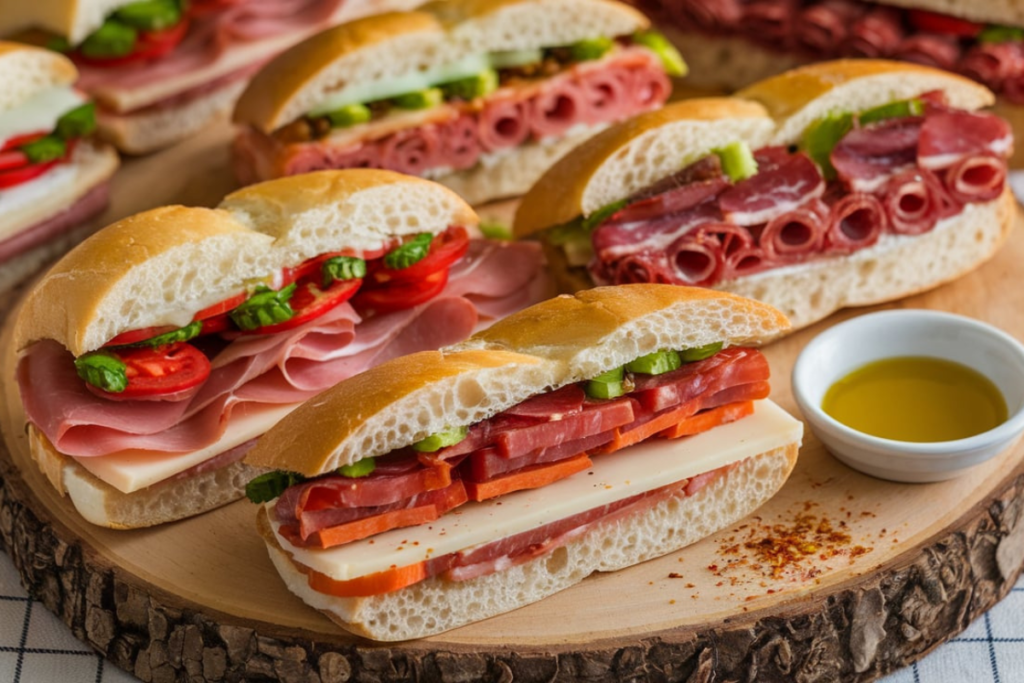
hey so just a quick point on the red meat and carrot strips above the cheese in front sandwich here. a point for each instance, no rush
(541, 441)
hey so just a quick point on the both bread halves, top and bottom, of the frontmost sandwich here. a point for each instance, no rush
(549, 346)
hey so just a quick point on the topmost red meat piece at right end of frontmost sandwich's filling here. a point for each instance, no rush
(731, 367)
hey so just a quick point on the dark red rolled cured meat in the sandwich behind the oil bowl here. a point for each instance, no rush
(899, 177)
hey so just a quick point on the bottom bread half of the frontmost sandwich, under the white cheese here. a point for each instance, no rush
(436, 605)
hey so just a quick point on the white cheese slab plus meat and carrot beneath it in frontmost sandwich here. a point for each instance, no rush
(491, 536)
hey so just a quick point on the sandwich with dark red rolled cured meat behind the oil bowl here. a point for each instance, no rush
(836, 185)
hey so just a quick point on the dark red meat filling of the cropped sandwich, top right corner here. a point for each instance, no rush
(829, 29)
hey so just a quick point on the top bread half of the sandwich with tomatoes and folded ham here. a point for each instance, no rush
(163, 266)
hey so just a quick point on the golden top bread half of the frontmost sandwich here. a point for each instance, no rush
(550, 345)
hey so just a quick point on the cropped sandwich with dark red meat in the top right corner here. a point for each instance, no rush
(733, 45)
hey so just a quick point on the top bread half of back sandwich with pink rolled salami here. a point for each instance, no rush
(395, 45)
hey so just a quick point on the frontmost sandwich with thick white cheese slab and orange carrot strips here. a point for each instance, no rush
(583, 435)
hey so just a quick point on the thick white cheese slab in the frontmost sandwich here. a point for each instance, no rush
(615, 477)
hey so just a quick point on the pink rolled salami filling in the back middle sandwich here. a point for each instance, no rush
(456, 136)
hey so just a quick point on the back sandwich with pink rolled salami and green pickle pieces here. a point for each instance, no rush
(482, 96)
